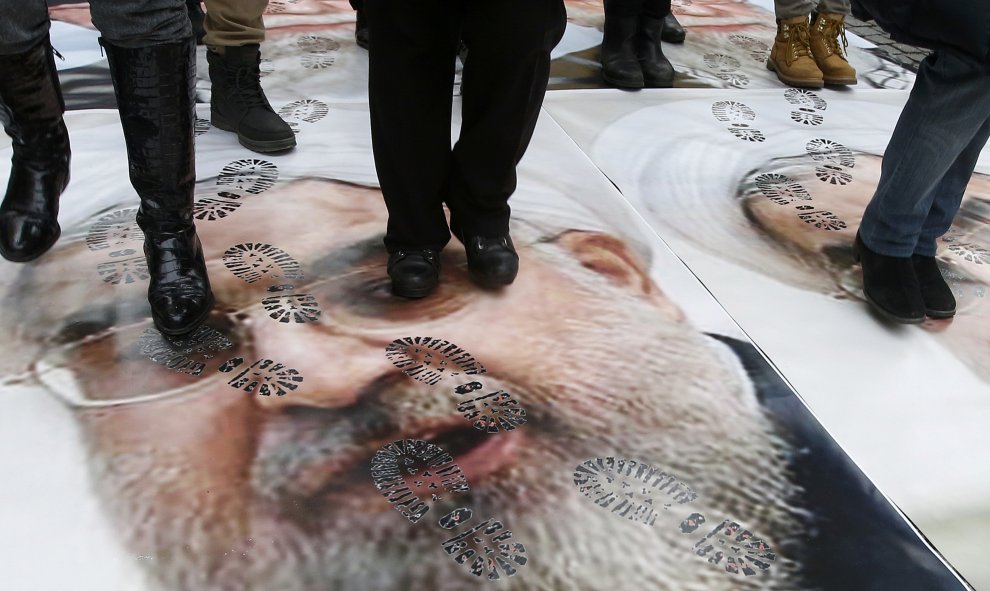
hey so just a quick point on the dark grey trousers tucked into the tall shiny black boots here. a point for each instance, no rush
(125, 23)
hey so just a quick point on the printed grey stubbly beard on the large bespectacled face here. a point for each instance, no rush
(658, 394)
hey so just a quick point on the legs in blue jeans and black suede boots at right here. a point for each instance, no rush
(930, 156)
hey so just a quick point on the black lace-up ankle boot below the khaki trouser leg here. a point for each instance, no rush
(238, 103)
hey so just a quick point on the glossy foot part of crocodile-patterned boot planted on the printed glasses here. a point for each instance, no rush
(179, 292)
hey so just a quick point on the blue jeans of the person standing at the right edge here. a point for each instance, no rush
(930, 157)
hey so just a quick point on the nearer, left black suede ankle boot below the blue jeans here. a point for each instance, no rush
(890, 285)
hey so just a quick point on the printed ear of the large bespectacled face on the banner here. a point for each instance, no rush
(613, 259)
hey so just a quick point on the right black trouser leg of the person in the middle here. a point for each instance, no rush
(504, 82)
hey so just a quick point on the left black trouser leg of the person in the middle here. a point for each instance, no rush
(411, 85)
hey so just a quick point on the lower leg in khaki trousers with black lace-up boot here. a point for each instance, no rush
(234, 32)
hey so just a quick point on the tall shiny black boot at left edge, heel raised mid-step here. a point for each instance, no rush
(31, 109)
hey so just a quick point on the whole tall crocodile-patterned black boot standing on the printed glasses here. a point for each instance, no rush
(155, 88)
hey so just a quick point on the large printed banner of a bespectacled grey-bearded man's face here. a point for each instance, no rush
(602, 424)
